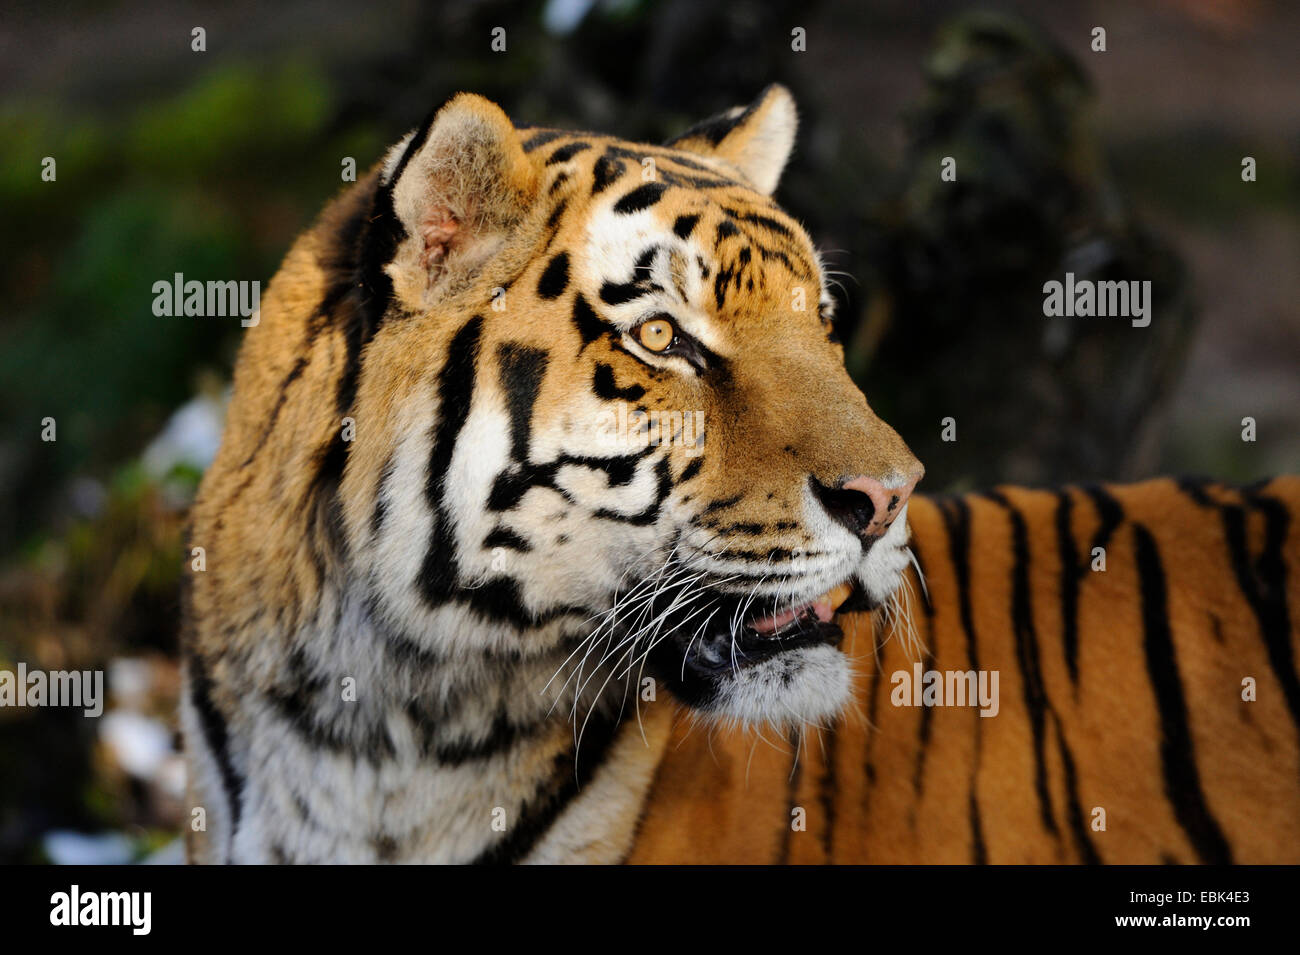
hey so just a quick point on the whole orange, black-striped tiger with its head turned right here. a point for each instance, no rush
(548, 527)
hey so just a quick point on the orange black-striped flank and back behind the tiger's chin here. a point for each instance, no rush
(1120, 691)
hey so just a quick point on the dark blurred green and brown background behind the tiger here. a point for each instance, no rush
(1124, 164)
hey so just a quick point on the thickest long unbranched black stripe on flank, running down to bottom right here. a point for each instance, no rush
(1182, 783)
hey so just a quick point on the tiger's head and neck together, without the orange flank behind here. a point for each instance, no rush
(432, 575)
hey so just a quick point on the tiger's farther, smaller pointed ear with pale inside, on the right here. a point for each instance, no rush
(756, 140)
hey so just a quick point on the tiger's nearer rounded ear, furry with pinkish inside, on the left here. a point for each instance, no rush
(460, 185)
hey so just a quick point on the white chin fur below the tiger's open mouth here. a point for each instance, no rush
(808, 685)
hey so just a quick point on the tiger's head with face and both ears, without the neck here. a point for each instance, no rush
(614, 422)
